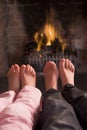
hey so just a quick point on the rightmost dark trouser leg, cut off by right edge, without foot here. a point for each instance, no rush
(78, 99)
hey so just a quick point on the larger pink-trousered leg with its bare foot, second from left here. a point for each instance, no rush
(22, 113)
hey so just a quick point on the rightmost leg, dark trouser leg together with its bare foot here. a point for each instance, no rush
(73, 95)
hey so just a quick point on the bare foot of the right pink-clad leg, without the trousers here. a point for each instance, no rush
(28, 76)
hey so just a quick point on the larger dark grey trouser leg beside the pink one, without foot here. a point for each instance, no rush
(57, 114)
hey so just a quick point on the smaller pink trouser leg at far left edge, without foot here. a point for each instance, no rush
(6, 98)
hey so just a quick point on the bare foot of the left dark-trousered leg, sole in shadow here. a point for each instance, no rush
(51, 75)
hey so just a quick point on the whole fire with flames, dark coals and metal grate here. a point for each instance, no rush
(48, 45)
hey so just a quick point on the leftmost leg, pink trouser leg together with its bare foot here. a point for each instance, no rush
(7, 98)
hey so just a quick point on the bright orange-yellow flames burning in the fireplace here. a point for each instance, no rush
(47, 35)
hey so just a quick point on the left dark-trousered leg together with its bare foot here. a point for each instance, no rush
(56, 112)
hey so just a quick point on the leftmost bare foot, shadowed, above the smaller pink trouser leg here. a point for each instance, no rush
(14, 78)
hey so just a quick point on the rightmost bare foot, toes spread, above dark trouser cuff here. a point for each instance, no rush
(66, 71)
